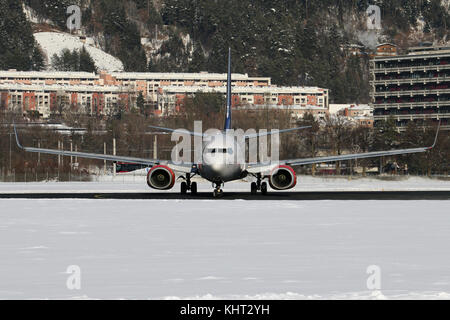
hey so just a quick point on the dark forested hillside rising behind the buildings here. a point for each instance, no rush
(294, 42)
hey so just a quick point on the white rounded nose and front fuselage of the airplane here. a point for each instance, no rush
(223, 159)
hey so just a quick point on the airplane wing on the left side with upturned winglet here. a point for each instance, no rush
(183, 167)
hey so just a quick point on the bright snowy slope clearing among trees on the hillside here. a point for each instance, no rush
(54, 42)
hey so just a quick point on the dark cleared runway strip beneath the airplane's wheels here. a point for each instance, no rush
(302, 195)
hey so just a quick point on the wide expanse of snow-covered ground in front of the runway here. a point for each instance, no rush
(224, 249)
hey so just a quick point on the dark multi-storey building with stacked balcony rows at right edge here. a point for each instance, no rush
(412, 87)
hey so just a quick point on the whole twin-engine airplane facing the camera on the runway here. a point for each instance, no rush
(215, 166)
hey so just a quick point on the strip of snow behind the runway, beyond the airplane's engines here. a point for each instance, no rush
(136, 183)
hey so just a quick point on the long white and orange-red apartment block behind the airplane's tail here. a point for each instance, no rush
(164, 92)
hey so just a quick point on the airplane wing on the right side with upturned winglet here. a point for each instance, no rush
(259, 168)
